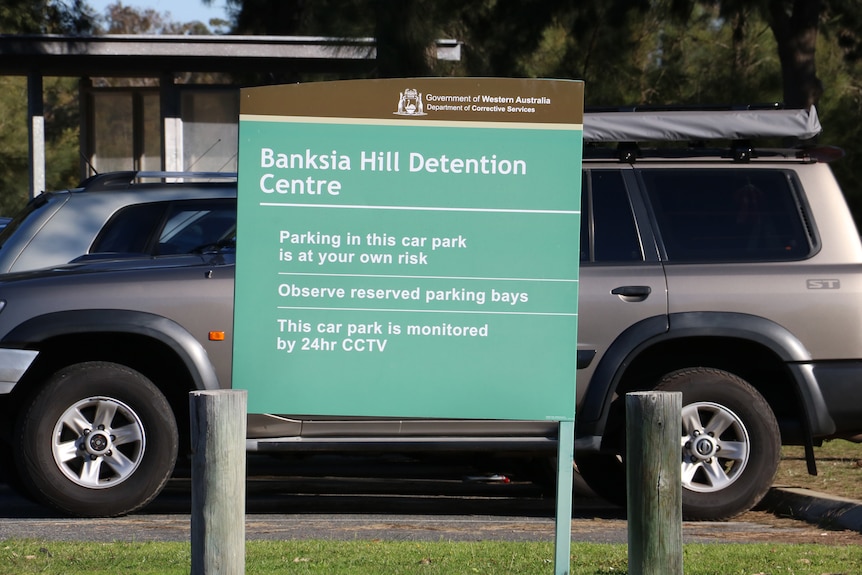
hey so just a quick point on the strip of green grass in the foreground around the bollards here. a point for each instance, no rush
(22, 557)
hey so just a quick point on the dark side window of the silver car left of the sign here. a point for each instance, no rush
(166, 228)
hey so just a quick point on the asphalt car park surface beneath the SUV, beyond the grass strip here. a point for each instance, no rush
(389, 499)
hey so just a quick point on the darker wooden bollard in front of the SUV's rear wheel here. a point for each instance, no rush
(654, 482)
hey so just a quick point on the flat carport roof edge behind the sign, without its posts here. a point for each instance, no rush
(150, 55)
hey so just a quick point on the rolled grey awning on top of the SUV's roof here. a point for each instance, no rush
(698, 125)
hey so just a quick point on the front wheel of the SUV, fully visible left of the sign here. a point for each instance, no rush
(98, 440)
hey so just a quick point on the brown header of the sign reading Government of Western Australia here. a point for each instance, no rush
(420, 99)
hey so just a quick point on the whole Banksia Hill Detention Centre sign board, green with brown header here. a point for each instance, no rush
(409, 248)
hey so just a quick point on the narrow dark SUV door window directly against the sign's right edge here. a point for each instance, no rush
(608, 230)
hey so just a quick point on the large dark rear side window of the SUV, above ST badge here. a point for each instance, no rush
(744, 215)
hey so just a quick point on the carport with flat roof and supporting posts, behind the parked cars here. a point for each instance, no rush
(37, 56)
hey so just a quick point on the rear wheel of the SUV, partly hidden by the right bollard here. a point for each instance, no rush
(731, 444)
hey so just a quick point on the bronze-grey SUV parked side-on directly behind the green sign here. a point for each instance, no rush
(729, 274)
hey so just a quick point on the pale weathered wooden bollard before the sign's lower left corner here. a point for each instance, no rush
(218, 427)
